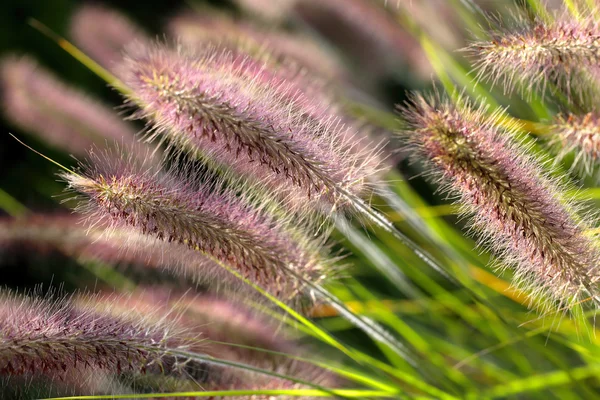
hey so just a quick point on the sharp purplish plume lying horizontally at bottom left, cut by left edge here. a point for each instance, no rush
(45, 336)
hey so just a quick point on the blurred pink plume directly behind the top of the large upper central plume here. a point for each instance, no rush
(296, 67)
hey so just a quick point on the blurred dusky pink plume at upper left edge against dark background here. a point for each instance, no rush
(37, 102)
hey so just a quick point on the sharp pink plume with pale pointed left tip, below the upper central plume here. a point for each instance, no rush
(230, 225)
